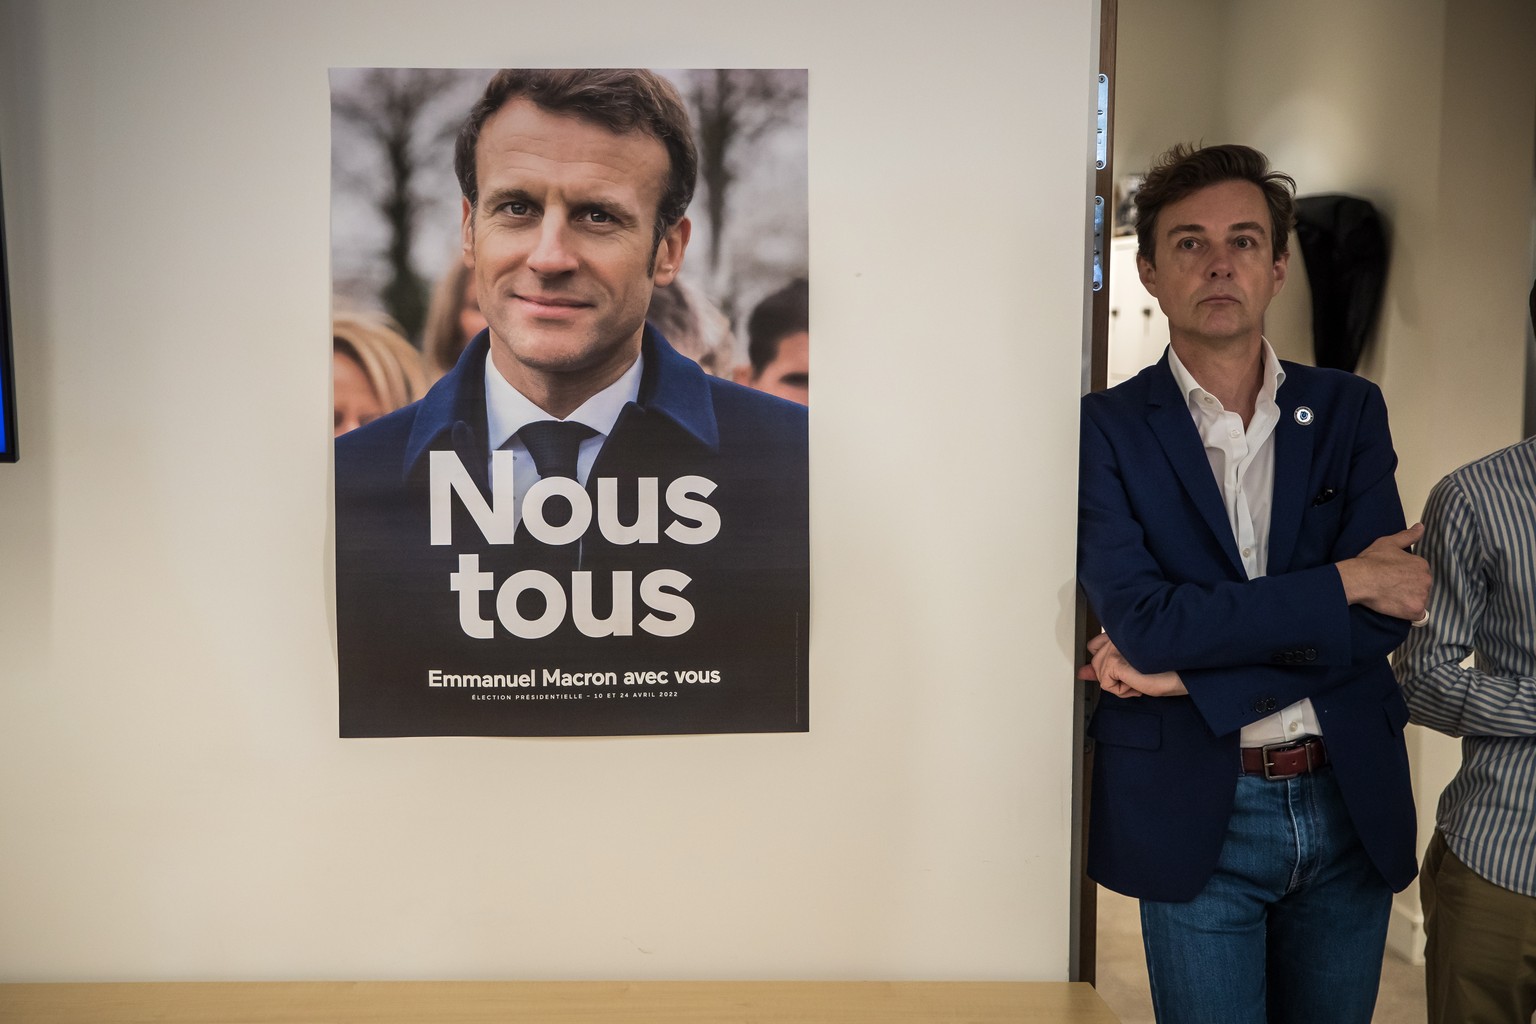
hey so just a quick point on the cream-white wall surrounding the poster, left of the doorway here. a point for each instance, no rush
(174, 801)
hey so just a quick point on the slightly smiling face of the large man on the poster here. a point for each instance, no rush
(561, 248)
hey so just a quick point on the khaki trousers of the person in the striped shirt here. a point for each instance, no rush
(1481, 945)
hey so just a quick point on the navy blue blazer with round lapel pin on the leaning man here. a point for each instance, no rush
(1162, 570)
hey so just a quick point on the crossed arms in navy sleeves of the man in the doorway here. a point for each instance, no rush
(1283, 632)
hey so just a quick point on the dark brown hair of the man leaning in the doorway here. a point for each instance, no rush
(1187, 170)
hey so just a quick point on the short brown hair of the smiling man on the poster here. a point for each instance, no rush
(618, 99)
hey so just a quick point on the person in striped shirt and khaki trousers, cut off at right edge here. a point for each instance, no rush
(1480, 874)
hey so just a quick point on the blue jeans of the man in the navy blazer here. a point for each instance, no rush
(1289, 930)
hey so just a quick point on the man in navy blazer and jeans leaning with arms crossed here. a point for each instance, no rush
(1242, 541)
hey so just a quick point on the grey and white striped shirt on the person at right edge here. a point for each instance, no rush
(1481, 546)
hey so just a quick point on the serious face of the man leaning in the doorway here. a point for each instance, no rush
(1216, 271)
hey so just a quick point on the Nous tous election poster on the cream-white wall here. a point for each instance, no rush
(571, 392)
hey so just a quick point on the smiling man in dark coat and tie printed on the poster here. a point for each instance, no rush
(577, 530)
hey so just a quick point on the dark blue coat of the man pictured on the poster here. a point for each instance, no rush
(692, 630)
